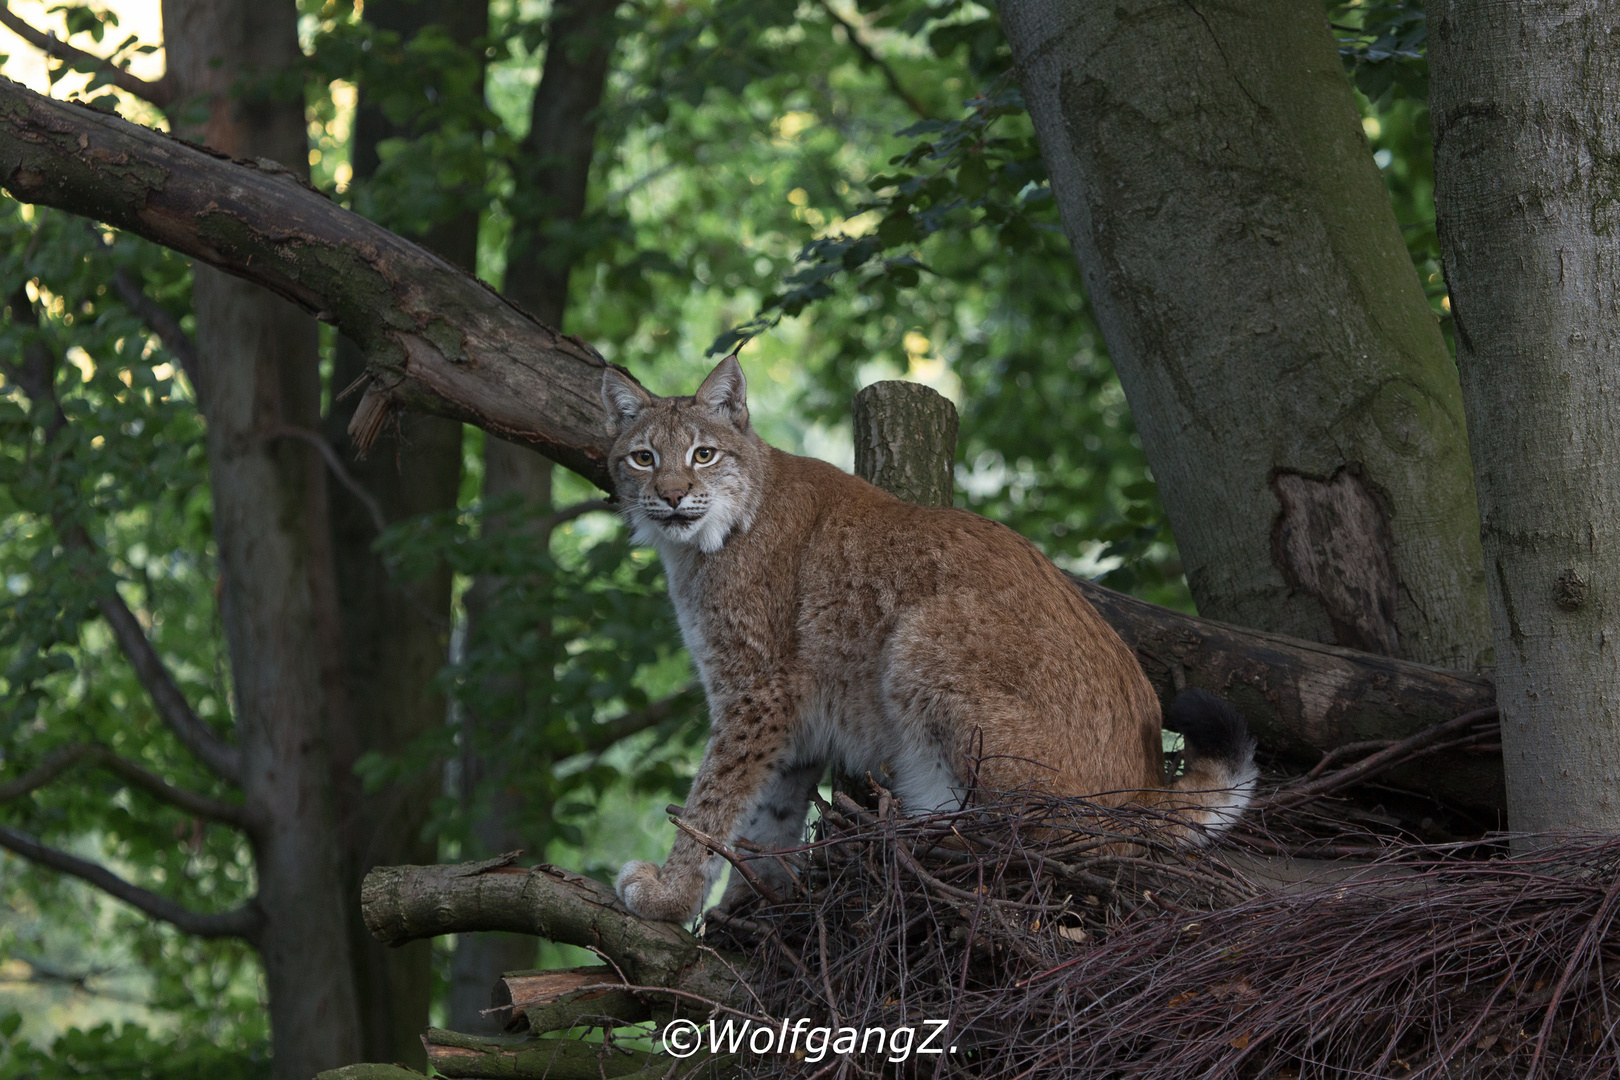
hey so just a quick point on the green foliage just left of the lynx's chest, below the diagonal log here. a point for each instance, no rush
(563, 637)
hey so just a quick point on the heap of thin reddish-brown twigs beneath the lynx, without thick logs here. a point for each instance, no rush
(1065, 942)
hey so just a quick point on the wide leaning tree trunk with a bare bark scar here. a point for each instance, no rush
(1294, 393)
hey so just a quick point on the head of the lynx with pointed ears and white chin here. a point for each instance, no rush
(688, 469)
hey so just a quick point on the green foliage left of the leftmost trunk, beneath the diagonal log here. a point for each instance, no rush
(124, 469)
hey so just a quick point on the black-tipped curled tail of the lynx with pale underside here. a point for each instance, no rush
(1219, 783)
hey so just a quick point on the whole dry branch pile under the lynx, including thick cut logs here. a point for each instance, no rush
(1064, 940)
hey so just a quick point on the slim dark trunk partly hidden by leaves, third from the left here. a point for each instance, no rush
(552, 187)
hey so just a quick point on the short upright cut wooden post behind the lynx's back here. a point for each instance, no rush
(906, 441)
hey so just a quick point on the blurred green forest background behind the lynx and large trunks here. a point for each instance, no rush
(851, 190)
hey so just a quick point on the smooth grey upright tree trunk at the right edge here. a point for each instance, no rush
(1527, 137)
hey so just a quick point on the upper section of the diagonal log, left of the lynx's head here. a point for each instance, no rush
(435, 339)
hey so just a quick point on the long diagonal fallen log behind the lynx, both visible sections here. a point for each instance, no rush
(440, 341)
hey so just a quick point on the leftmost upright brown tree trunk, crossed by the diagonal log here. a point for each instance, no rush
(257, 373)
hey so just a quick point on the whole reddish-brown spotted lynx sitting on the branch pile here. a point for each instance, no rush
(829, 621)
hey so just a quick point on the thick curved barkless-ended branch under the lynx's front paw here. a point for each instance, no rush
(407, 903)
